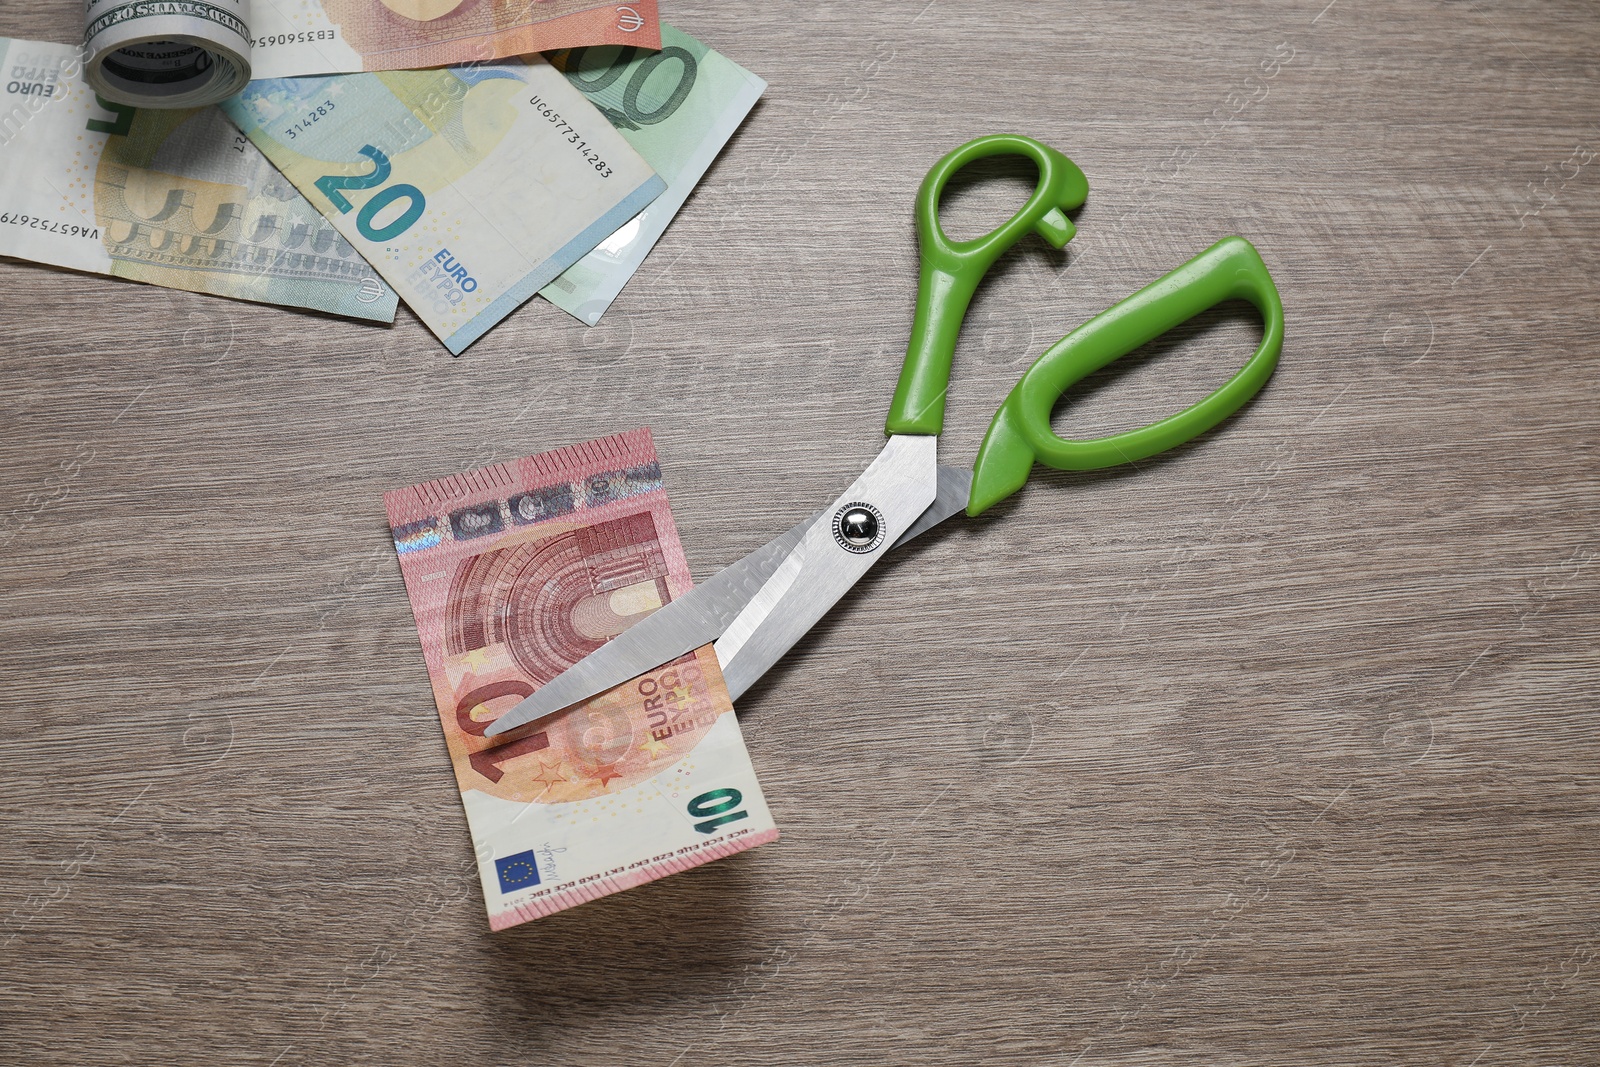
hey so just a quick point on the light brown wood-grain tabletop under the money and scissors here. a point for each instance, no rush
(1281, 749)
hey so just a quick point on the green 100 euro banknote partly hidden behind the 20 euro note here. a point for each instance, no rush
(678, 108)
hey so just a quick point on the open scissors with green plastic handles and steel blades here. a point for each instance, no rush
(758, 609)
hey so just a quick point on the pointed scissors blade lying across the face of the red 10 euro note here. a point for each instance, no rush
(676, 628)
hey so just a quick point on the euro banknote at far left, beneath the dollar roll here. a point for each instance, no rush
(170, 198)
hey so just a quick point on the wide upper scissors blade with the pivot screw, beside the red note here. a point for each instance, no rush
(898, 487)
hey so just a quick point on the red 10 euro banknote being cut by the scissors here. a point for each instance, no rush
(518, 572)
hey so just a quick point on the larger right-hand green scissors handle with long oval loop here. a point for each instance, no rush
(1022, 433)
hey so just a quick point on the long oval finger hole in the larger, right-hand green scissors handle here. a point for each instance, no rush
(1162, 377)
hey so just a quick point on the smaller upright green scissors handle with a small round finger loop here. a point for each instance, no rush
(951, 271)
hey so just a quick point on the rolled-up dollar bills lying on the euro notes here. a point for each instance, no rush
(167, 54)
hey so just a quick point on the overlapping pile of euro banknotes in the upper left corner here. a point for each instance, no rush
(332, 175)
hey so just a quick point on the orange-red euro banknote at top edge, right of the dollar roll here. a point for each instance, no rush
(300, 38)
